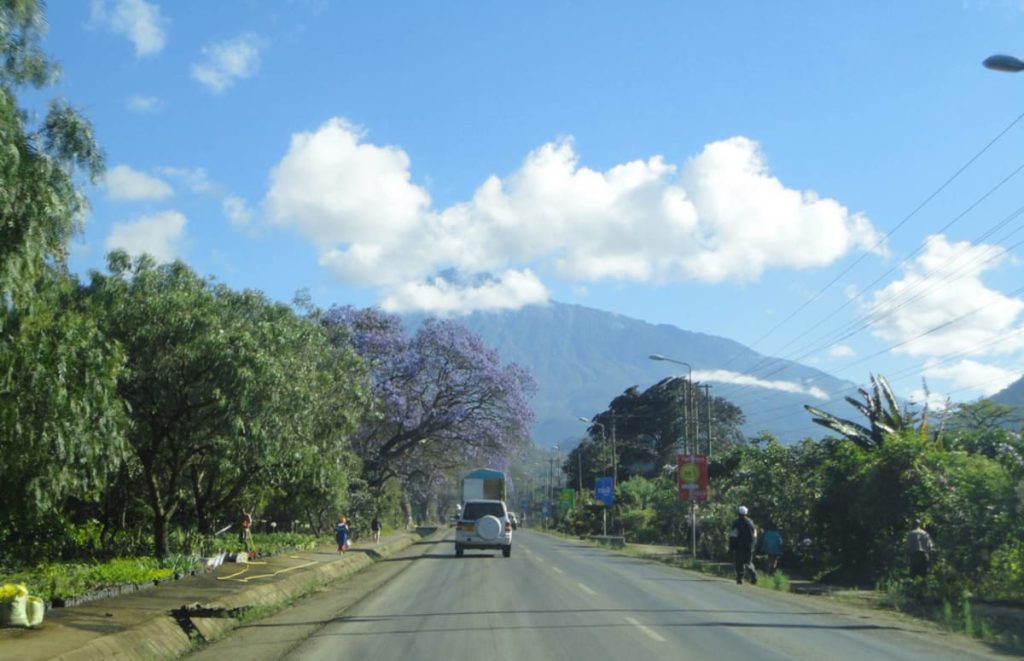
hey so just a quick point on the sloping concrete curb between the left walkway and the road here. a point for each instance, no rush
(165, 638)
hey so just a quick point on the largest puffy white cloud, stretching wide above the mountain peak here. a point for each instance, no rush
(721, 217)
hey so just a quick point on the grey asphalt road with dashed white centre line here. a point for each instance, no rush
(561, 600)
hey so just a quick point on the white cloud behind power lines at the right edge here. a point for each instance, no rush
(943, 294)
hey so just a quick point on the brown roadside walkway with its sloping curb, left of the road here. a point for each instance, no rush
(167, 622)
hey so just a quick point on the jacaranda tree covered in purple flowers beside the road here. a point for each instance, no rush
(443, 399)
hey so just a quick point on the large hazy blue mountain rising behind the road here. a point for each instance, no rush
(582, 359)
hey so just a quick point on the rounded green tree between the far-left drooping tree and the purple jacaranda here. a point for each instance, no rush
(228, 391)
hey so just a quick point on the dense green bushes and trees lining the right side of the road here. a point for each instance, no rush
(845, 504)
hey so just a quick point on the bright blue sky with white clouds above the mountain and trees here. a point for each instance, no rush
(749, 172)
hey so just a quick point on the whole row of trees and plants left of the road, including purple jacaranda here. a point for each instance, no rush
(145, 409)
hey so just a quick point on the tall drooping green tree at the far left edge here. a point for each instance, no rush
(60, 418)
